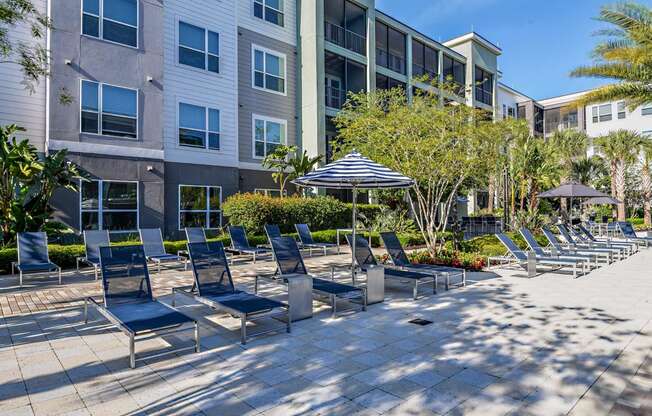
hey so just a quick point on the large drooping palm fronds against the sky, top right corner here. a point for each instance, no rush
(625, 56)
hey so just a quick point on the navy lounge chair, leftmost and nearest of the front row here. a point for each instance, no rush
(128, 302)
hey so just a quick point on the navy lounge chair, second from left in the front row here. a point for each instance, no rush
(213, 287)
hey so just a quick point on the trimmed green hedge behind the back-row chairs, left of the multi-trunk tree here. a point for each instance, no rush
(253, 211)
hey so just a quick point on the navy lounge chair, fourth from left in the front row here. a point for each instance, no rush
(364, 258)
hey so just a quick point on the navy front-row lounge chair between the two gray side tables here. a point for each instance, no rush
(289, 261)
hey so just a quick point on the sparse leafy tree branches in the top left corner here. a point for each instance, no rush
(31, 56)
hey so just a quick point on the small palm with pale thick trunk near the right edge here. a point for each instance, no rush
(621, 148)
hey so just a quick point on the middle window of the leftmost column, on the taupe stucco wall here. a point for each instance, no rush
(109, 110)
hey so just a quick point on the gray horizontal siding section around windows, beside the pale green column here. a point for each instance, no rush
(254, 101)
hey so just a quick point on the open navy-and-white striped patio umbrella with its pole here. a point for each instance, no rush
(354, 172)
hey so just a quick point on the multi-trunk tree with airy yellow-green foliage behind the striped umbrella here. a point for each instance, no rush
(435, 145)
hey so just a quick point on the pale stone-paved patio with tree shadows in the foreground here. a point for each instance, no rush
(503, 345)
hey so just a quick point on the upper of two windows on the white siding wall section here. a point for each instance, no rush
(199, 48)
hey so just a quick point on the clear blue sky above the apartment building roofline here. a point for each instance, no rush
(542, 40)
